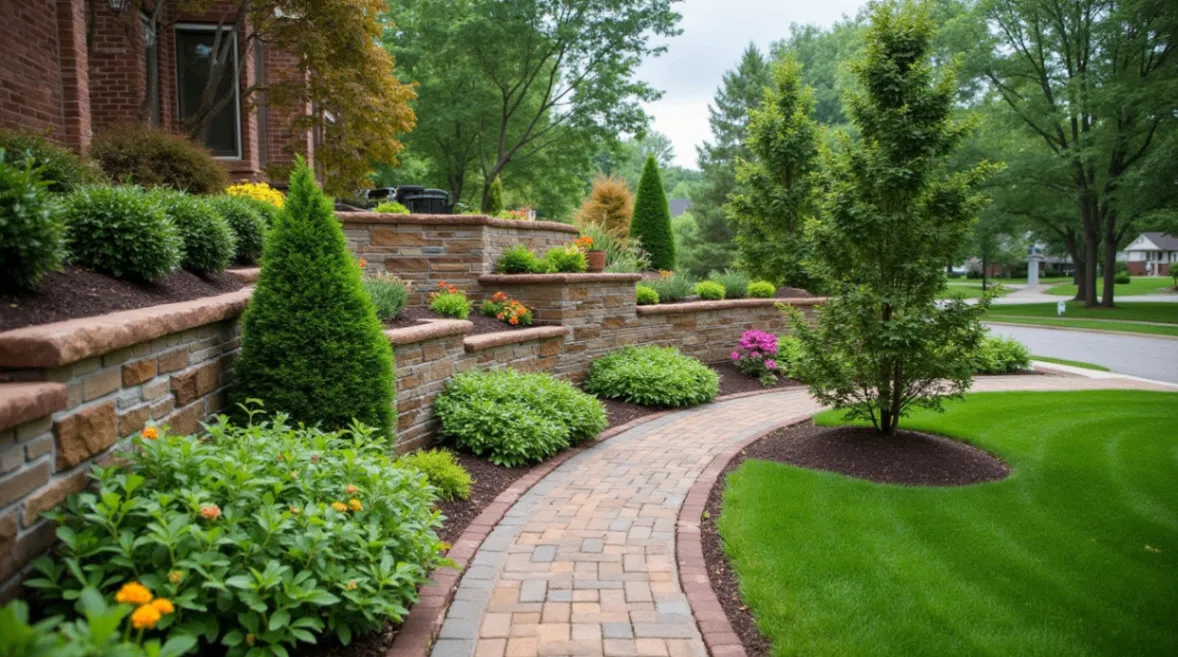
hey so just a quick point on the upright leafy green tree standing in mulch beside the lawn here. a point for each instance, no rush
(894, 215)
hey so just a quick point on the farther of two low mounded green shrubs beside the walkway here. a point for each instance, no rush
(653, 376)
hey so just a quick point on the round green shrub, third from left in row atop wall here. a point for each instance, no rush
(208, 242)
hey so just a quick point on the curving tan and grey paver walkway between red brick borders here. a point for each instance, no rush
(584, 563)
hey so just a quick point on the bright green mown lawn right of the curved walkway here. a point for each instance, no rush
(1076, 554)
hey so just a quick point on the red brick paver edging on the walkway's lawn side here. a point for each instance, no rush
(710, 615)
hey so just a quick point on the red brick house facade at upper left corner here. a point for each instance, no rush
(77, 68)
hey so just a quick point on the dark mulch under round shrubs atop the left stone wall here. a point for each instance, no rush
(78, 293)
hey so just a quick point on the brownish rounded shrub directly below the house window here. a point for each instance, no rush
(156, 158)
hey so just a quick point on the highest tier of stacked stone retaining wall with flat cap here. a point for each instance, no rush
(431, 249)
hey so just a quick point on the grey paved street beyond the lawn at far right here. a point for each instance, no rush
(1154, 359)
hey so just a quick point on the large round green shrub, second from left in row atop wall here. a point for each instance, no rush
(121, 231)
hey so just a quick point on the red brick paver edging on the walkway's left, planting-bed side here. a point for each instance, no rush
(421, 628)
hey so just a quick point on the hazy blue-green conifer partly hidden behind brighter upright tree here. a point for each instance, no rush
(711, 247)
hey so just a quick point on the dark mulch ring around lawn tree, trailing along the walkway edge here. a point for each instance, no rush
(909, 459)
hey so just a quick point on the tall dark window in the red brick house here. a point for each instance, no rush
(194, 68)
